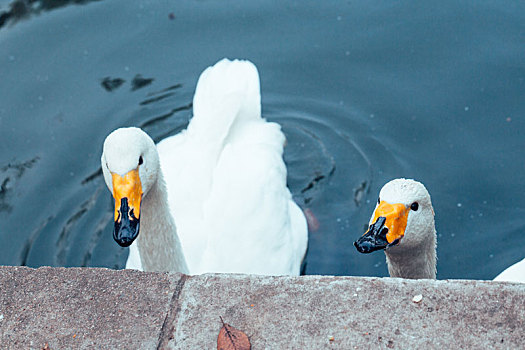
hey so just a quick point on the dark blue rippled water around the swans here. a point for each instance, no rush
(365, 92)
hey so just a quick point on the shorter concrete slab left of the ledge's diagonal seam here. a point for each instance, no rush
(78, 308)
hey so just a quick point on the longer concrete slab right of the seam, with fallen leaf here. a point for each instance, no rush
(317, 312)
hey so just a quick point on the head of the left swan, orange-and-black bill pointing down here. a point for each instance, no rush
(130, 163)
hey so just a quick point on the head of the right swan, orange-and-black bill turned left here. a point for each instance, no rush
(403, 218)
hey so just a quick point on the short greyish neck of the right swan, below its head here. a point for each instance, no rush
(415, 263)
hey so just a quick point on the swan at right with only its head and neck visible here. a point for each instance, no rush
(403, 225)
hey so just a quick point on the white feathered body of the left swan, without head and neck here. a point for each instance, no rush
(226, 180)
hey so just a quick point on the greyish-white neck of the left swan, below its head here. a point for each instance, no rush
(158, 242)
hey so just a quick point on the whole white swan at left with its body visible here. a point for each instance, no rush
(224, 206)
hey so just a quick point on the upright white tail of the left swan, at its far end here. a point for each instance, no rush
(226, 93)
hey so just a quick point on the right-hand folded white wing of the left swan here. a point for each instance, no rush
(256, 227)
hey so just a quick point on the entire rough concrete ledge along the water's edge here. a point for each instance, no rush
(106, 309)
